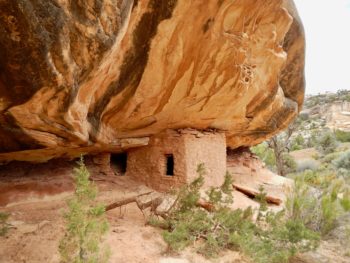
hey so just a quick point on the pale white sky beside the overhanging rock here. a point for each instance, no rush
(327, 30)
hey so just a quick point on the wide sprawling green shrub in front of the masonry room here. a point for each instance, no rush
(273, 238)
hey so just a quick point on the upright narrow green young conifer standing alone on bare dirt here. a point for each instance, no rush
(85, 223)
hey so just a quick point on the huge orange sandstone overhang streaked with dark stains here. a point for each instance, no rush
(81, 76)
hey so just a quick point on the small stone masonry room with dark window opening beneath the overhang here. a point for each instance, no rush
(189, 148)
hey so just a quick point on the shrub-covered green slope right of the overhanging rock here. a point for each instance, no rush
(321, 198)
